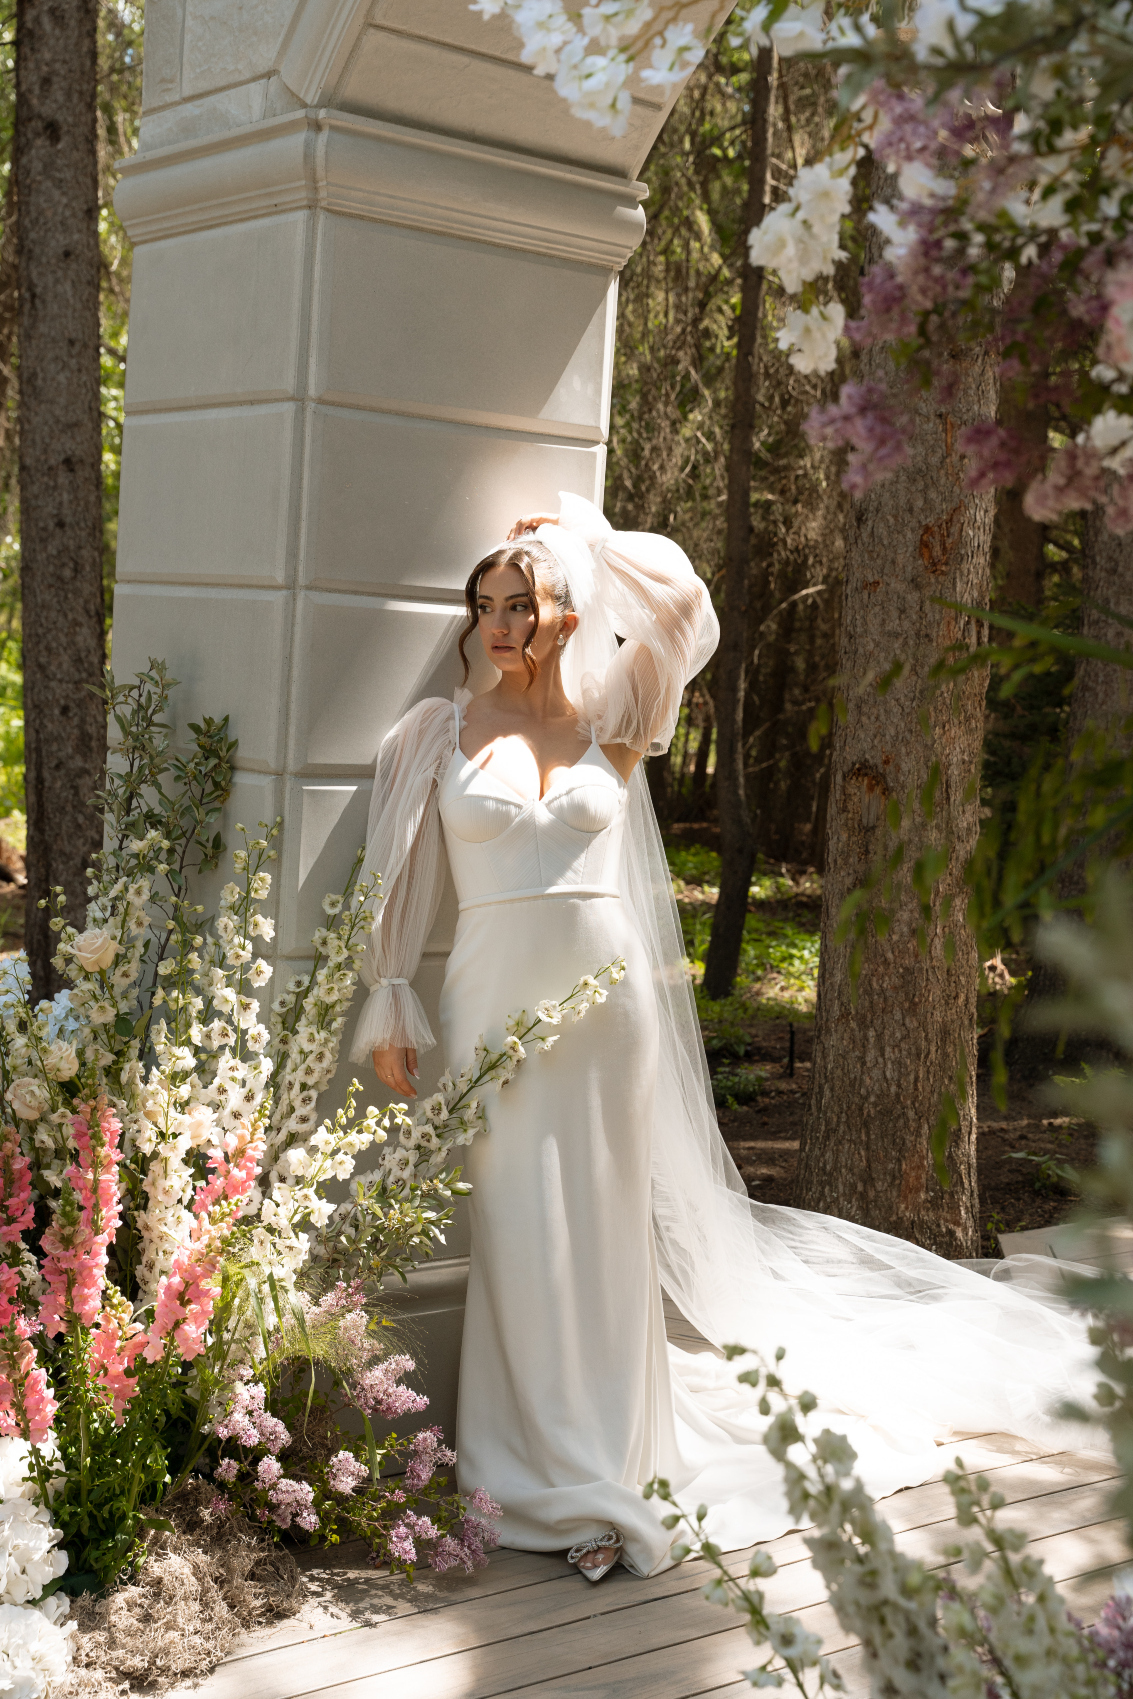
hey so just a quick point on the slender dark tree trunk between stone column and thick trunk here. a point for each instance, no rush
(738, 847)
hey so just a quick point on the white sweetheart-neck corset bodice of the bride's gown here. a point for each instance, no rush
(502, 847)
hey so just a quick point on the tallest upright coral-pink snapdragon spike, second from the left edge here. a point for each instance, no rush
(86, 1221)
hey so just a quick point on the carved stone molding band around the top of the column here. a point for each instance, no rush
(388, 174)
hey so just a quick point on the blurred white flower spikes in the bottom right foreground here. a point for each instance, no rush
(989, 1627)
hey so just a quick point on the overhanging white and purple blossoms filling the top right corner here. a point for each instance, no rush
(1005, 210)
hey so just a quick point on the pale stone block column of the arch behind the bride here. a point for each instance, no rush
(373, 320)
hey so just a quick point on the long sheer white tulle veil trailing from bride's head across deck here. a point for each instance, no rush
(879, 1329)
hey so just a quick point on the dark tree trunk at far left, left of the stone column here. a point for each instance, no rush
(57, 172)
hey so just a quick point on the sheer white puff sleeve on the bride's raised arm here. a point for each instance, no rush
(663, 614)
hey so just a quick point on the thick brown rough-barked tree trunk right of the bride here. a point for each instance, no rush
(881, 1068)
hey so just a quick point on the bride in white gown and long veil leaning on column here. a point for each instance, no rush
(604, 1177)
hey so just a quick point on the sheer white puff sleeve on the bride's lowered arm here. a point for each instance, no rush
(405, 850)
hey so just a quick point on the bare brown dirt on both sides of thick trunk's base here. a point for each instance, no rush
(1015, 1195)
